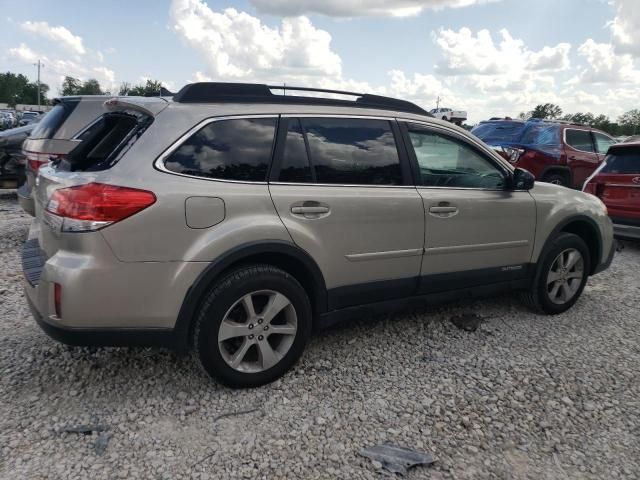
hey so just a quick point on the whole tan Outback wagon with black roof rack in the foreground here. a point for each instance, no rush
(232, 221)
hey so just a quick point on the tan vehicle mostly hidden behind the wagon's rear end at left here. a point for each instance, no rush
(56, 135)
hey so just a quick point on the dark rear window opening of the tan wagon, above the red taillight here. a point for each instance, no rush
(104, 141)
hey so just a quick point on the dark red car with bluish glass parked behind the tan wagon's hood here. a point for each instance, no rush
(556, 152)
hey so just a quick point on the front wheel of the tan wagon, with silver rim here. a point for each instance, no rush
(562, 275)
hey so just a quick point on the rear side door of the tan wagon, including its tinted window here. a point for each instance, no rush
(343, 190)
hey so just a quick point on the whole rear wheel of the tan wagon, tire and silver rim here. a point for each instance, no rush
(252, 326)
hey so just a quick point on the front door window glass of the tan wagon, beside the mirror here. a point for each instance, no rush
(446, 162)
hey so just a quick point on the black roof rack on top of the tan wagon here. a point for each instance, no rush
(218, 92)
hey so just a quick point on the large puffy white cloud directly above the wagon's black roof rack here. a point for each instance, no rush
(237, 45)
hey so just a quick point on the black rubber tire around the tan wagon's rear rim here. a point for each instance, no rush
(222, 296)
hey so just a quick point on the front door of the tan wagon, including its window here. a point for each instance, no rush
(476, 230)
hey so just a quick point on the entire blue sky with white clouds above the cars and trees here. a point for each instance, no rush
(489, 57)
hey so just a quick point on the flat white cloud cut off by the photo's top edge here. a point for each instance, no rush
(357, 8)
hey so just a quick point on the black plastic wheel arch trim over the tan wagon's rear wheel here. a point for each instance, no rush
(281, 254)
